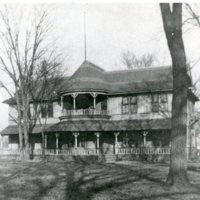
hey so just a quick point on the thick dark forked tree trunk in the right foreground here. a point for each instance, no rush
(172, 22)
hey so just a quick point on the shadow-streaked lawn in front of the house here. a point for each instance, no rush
(92, 181)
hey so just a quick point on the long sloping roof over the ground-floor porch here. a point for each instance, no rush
(118, 125)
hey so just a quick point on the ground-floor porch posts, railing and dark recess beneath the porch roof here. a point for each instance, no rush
(96, 143)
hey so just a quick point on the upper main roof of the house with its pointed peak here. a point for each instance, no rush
(90, 77)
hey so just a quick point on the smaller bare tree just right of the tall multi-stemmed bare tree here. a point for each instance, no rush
(43, 93)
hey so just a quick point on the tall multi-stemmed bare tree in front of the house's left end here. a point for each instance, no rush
(23, 49)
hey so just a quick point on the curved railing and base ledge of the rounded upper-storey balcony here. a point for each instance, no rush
(84, 114)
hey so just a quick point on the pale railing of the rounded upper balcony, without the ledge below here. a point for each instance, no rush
(84, 112)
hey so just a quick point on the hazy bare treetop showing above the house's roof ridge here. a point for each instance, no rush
(131, 61)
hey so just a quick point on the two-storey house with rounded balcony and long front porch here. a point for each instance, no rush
(100, 112)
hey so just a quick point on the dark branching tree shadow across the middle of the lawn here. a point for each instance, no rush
(91, 182)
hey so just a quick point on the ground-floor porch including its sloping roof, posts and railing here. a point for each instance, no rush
(98, 137)
